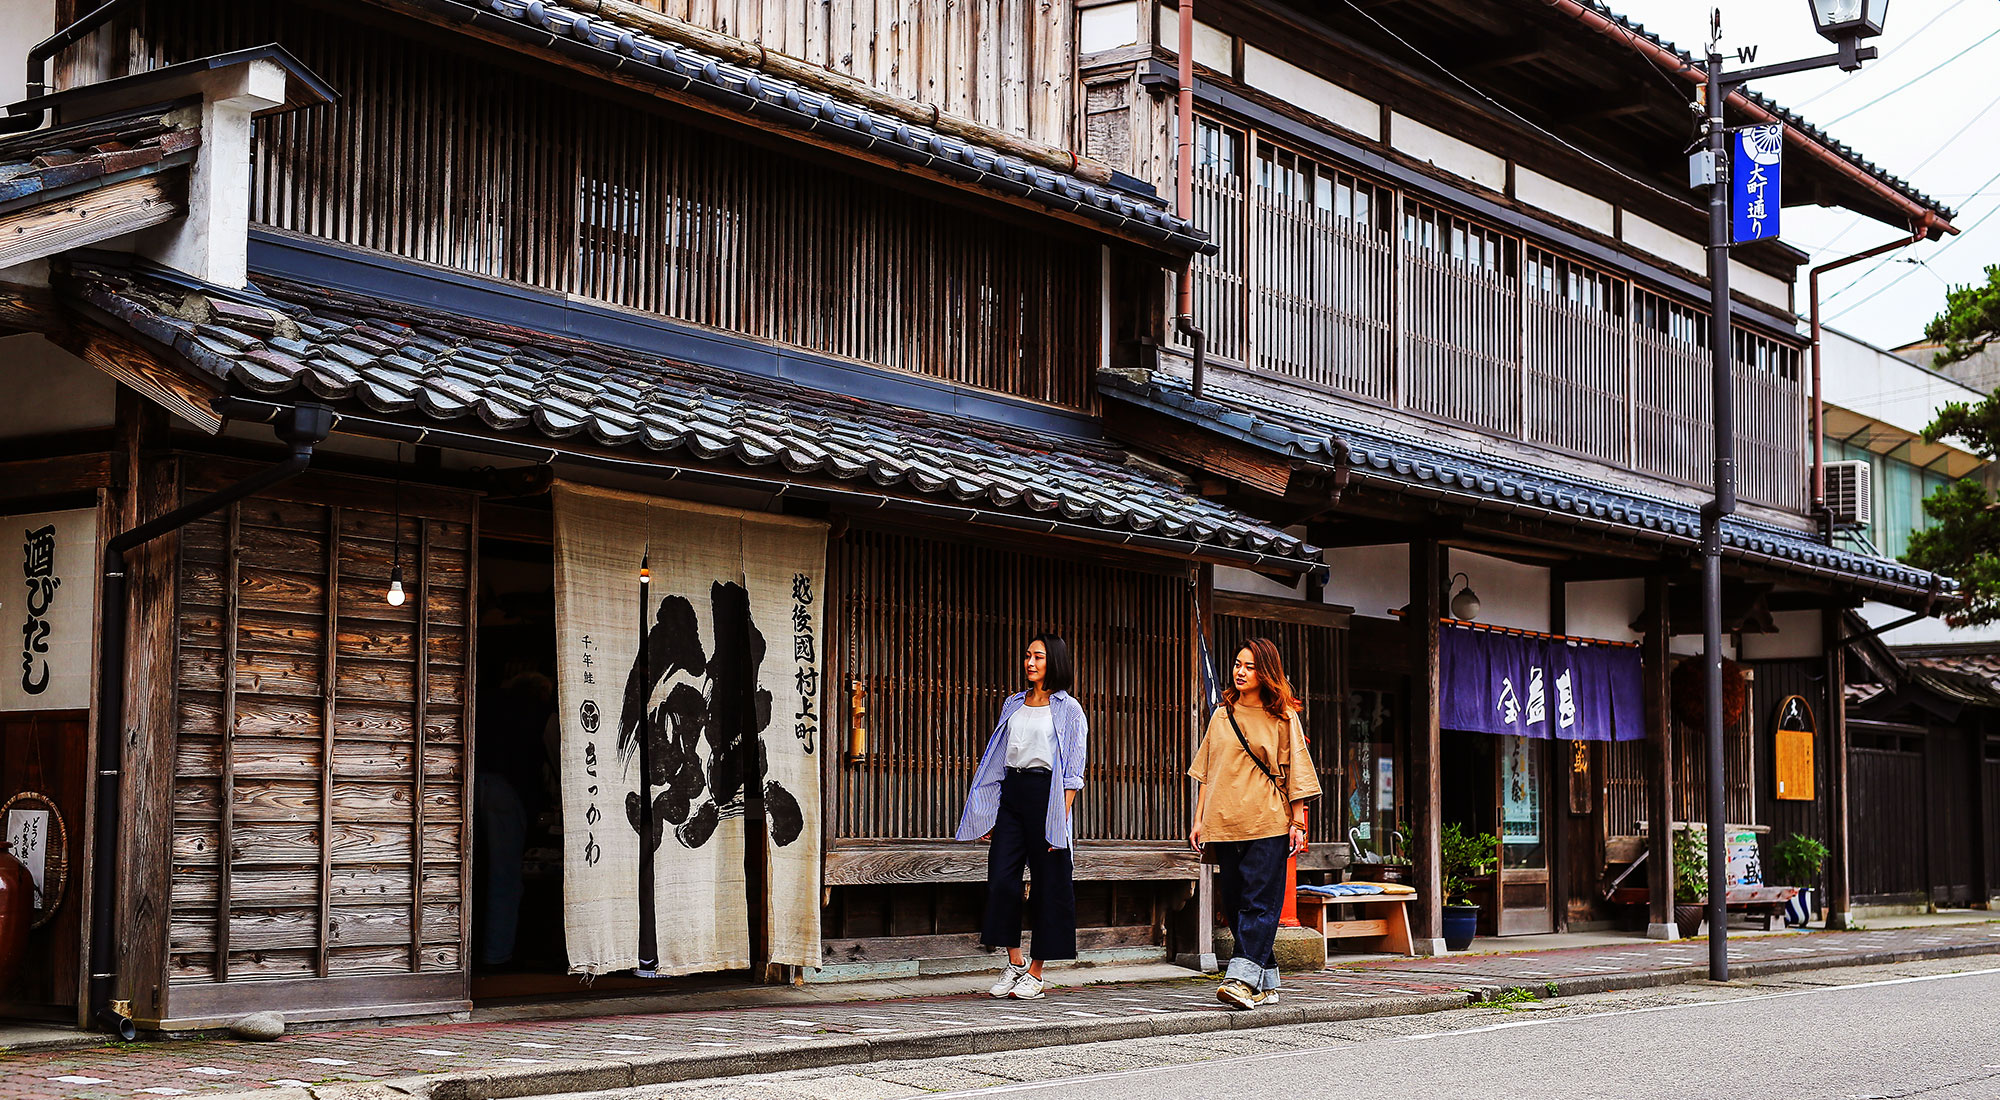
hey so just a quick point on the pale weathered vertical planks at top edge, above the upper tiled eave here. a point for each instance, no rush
(1003, 63)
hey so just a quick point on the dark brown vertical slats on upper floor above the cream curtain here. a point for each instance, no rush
(477, 167)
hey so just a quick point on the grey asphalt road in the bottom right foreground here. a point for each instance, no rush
(1923, 1031)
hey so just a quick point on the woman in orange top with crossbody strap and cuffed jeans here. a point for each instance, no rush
(1255, 779)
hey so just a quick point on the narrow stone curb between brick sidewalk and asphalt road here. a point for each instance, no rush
(559, 1079)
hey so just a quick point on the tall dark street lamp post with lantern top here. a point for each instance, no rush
(1843, 23)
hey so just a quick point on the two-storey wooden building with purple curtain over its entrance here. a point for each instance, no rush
(1457, 319)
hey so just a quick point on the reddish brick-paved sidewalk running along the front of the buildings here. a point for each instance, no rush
(483, 1061)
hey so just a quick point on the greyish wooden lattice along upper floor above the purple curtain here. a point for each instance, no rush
(1351, 287)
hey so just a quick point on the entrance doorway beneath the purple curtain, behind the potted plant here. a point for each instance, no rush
(1499, 785)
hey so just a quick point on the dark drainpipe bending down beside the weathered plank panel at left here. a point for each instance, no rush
(303, 429)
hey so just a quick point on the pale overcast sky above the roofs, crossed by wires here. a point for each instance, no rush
(1909, 135)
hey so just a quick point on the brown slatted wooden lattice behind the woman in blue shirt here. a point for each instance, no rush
(935, 633)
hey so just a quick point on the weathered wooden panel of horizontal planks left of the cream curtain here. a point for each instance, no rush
(319, 815)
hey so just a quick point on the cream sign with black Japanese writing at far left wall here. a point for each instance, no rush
(49, 595)
